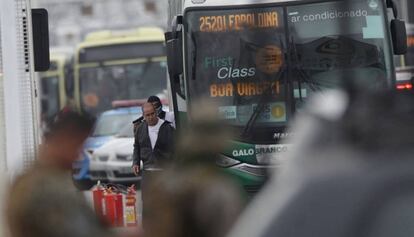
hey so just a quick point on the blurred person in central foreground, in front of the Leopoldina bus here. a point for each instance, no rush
(193, 197)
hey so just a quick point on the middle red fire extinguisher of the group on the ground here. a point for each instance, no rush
(114, 208)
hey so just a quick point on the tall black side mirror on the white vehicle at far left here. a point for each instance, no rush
(40, 27)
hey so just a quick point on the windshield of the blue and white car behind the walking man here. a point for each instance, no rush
(110, 125)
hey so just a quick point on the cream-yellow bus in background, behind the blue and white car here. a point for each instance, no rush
(119, 65)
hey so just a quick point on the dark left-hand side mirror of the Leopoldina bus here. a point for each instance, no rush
(174, 55)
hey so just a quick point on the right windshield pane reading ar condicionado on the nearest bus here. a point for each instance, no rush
(330, 56)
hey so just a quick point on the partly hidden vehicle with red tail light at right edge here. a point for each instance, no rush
(405, 63)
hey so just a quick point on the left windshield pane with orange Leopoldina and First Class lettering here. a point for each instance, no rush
(239, 63)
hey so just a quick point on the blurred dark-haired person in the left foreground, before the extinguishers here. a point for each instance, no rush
(43, 202)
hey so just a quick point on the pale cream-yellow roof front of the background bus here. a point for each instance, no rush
(107, 37)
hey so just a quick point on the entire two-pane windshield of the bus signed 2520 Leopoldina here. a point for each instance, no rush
(261, 64)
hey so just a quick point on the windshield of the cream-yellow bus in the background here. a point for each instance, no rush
(100, 86)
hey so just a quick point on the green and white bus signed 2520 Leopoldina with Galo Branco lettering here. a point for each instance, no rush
(259, 61)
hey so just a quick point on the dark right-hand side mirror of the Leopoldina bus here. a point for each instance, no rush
(399, 37)
